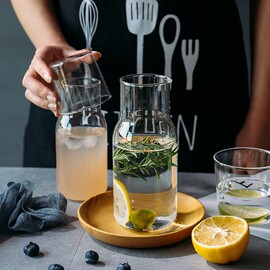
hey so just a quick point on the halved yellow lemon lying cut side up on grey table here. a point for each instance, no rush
(221, 239)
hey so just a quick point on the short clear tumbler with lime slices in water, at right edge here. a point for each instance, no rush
(243, 183)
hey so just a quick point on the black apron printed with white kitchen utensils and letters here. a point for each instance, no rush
(209, 97)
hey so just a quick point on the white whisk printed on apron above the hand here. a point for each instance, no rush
(88, 15)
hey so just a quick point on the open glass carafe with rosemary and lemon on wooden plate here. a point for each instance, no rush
(145, 154)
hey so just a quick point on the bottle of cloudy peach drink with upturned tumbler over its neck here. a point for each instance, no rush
(81, 130)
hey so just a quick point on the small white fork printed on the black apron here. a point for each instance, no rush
(190, 57)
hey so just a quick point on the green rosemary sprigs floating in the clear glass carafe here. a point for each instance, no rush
(143, 158)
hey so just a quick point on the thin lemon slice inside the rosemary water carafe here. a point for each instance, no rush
(122, 205)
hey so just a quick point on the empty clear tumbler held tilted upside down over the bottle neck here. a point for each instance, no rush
(79, 83)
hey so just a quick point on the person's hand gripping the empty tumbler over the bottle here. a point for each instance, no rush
(38, 78)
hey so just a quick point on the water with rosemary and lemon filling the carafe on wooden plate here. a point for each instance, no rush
(146, 177)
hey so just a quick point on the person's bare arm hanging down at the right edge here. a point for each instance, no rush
(256, 130)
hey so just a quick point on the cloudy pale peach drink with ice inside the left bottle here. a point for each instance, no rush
(81, 162)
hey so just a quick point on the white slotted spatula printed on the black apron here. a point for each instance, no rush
(141, 20)
